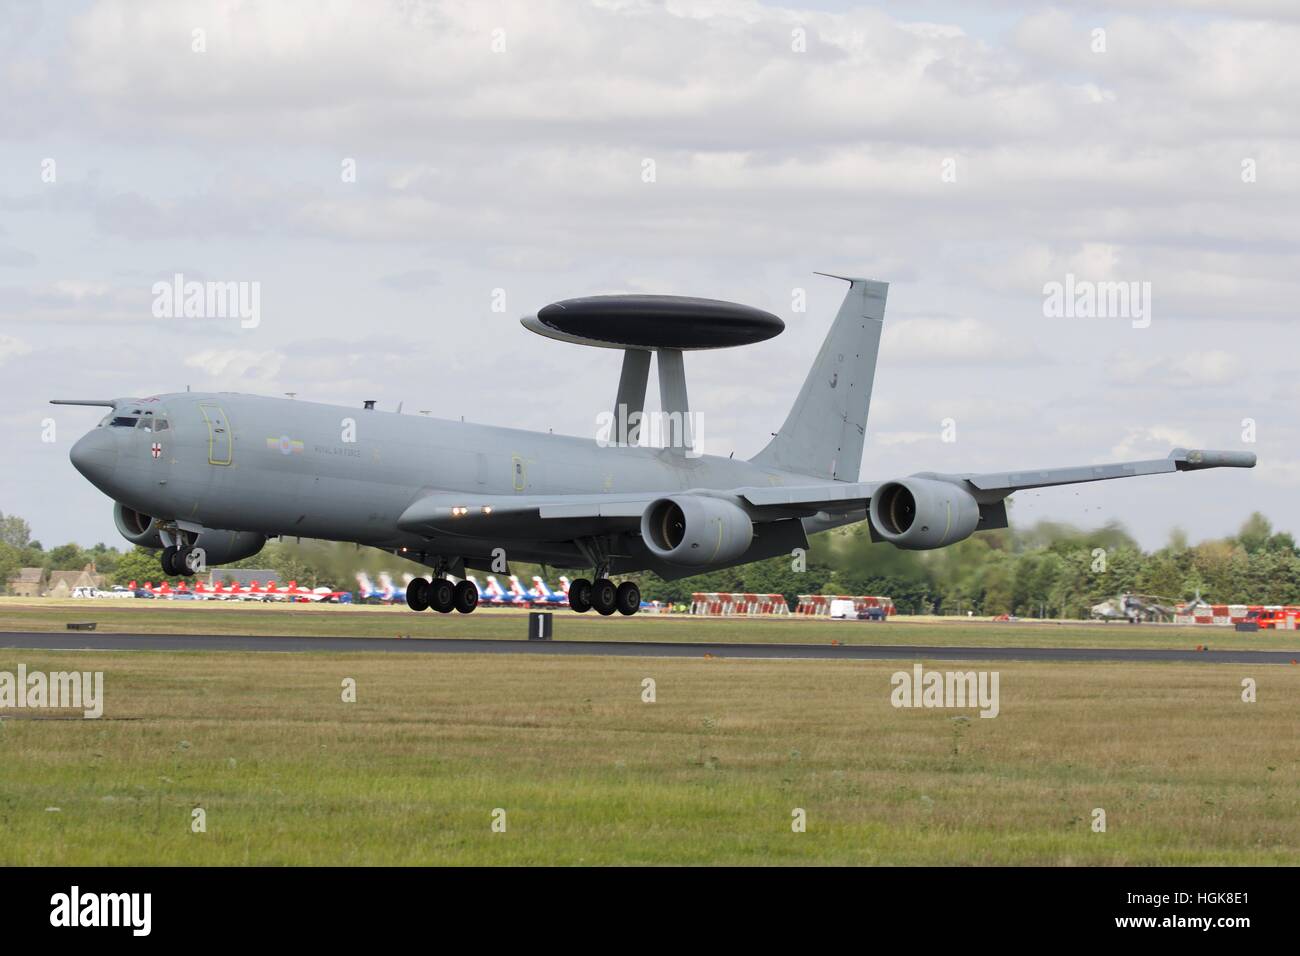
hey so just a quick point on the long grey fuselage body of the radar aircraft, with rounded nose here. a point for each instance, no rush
(278, 466)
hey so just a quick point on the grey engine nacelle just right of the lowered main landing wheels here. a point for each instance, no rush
(696, 531)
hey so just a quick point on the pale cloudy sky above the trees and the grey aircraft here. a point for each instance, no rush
(404, 181)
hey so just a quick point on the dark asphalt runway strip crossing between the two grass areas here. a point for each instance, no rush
(59, 641)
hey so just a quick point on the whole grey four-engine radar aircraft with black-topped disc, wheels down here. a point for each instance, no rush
(209, 478)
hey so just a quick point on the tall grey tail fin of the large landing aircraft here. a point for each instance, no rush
(825, 431)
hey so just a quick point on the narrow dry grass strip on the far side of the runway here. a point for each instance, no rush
(363, 621)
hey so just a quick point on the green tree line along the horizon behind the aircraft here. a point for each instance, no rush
(1046, 570)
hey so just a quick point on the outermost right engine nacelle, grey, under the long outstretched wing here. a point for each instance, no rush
(918, 514)
